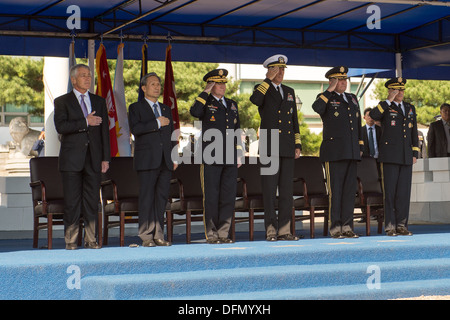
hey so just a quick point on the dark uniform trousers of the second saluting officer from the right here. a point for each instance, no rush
(342, 183)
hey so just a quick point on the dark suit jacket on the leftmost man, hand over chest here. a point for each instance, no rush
(77, 136)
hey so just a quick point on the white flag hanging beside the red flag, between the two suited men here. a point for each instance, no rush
(123, 130)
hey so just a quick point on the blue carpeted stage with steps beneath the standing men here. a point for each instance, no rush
(375, 267)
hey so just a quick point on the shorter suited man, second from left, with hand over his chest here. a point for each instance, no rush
(152, 126)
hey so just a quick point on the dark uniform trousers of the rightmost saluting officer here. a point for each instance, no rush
(397, 193)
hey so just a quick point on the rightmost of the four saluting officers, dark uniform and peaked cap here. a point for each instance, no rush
(399, 147)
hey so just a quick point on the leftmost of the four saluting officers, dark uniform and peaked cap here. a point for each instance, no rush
(219, 169)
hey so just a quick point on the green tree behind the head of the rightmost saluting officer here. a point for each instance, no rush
(426, 95)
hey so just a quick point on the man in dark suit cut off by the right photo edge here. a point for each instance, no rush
(439, 134)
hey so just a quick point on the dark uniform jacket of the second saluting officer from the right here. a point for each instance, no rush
(342, 131)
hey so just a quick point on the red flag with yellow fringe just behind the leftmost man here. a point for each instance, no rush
(104, 89)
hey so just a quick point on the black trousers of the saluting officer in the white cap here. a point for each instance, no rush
(283, 181)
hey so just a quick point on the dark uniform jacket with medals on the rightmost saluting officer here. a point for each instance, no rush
(399, 139)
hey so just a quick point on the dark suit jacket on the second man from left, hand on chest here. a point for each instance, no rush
(151, 143)
